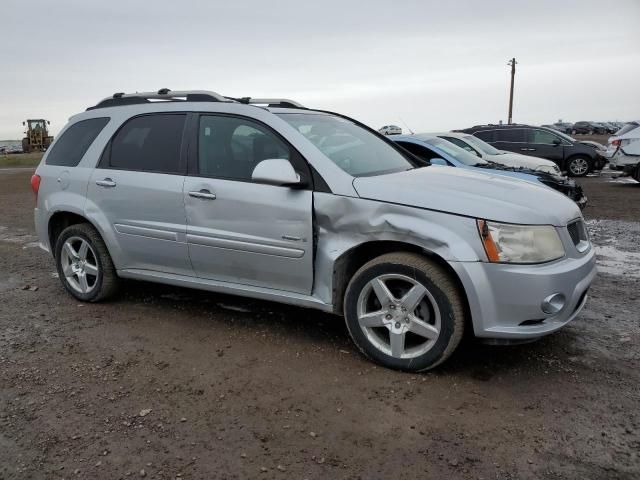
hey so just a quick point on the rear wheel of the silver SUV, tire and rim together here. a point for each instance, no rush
(84, 264)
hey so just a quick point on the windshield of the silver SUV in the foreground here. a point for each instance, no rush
(352, 148)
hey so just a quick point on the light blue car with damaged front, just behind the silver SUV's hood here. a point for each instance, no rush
(437, 151)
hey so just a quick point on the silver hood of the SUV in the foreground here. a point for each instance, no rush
(465, 192)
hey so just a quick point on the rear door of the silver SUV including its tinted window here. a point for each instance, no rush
(137, 190)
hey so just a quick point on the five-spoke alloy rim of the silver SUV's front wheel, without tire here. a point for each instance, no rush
(399, 316)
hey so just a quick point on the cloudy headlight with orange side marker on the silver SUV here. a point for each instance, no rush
(507, 243)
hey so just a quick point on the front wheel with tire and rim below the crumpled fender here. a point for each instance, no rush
(404, 311)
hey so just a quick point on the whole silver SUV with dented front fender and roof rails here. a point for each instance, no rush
(267, 199)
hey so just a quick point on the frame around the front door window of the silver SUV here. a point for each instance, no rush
(299, 163)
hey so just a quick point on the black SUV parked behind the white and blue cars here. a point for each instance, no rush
(571, 156)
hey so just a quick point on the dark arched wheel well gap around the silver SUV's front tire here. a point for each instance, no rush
(350, 262)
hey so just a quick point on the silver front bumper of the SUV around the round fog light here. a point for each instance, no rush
(505, 301)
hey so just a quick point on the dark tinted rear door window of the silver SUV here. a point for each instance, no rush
(149, 143)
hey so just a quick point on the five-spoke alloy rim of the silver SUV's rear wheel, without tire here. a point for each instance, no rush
(79, 264)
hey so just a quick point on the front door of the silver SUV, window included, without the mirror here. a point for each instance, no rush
(240, 231)
